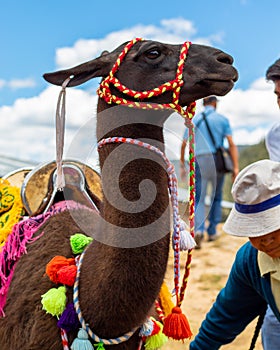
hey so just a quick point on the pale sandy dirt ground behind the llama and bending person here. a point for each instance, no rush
(209, 271)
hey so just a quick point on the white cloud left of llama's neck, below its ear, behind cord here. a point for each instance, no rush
(30, 131)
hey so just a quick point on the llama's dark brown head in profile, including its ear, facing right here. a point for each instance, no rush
(149, 64)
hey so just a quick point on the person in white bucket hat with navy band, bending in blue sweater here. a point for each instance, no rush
(254, 279)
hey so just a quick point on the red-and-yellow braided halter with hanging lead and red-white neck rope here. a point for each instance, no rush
(104, 92)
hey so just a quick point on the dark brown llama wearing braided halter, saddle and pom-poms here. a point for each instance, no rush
(124, 267)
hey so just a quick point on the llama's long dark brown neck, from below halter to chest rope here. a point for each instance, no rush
(128, 267)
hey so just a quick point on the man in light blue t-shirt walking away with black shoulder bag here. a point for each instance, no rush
(205, 166)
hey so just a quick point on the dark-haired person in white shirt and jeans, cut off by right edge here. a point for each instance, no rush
(271, 327)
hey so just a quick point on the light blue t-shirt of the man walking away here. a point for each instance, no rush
(219, 126)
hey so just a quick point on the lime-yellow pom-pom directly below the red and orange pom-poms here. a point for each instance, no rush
(54, 301)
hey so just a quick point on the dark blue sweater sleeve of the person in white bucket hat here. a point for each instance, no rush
(238, 303)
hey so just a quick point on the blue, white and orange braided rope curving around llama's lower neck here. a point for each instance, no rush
(84, 325)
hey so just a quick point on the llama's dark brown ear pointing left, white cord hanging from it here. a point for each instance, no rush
(99, 67)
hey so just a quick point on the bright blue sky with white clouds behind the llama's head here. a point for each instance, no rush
(38, 37)
